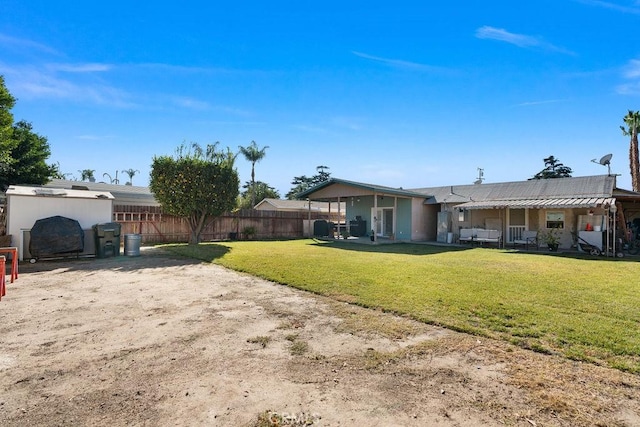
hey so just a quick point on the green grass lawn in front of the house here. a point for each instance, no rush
(583, 308)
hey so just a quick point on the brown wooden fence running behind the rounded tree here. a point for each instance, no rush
(157, 227)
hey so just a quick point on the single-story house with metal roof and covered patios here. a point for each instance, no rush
(439, 213)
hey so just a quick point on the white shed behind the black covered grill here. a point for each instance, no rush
(26, 205)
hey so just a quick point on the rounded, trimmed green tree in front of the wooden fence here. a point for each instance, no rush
(198, 185)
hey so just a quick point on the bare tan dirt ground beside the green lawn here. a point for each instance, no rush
(158, 340)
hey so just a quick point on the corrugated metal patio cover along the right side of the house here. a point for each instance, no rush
(568, 203)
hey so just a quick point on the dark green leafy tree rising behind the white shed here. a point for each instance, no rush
(28, 153)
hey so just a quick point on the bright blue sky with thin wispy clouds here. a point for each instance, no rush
(403, 93)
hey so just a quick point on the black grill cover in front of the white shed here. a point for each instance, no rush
(56, 235)
